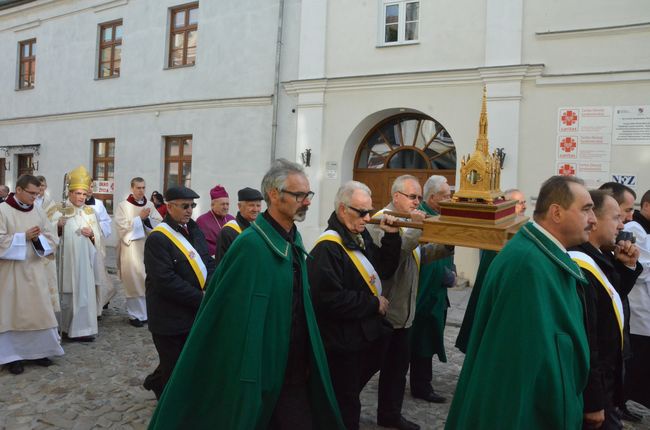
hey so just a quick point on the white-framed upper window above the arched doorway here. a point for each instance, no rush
(400, 22)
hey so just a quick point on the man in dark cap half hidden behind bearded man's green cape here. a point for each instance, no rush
(249, 205)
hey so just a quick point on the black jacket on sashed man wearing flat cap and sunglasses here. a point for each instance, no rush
(173, 292)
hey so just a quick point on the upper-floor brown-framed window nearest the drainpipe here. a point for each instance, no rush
(183, 32)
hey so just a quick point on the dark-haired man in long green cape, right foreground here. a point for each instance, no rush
(528, 359)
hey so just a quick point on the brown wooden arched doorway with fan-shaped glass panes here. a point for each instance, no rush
(407, 143)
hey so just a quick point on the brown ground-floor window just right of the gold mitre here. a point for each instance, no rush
(103, 171)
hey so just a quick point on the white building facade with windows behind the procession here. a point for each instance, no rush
(345, 68)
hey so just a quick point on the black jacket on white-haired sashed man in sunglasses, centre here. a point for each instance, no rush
(346, 309)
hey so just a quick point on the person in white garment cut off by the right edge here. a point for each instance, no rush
(637, 377)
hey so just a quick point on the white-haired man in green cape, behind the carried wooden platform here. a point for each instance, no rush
(427, 332)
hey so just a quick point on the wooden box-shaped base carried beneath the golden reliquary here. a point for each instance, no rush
(470, 234)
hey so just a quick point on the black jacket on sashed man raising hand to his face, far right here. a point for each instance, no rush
(604, 385)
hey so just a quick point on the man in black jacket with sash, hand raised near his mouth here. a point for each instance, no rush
(611, 277)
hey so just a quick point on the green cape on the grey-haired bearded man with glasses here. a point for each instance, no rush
(231, 370)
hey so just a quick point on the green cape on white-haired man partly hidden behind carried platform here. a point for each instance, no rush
(427, 332)
